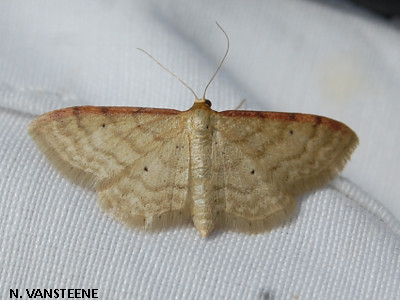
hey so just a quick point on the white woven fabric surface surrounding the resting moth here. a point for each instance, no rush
(326, 58)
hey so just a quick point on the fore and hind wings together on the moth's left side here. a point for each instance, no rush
(136, 158)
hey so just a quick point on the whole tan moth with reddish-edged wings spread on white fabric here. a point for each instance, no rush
(156, 167)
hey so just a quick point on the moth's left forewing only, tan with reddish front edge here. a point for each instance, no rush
(92, 143)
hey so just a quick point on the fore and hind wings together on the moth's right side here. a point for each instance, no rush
(266, 159)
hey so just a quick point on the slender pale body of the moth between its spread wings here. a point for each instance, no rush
(200, 124)
